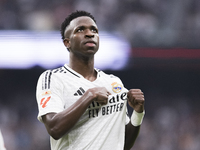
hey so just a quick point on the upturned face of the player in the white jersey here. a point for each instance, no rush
(82, 36)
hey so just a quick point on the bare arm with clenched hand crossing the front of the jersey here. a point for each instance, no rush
(58, 124)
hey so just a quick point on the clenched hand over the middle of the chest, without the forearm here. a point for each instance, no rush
(100, 95)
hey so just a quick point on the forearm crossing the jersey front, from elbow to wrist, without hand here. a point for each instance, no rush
(59, 124)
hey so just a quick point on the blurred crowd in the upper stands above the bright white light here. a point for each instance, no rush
(152, 23)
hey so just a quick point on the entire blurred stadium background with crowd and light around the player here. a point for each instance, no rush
(153, 45)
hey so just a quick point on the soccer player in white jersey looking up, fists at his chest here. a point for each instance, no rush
(83, 107)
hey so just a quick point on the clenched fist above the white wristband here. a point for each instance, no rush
(136, 99)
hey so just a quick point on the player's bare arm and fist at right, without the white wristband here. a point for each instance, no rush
(136, 101)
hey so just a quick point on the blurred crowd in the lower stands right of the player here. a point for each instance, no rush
(171, 128)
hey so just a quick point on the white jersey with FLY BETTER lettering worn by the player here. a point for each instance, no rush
(100, 127)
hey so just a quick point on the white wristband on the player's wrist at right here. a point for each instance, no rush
(137, 118)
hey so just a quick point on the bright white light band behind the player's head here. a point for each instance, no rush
(26, 49)
